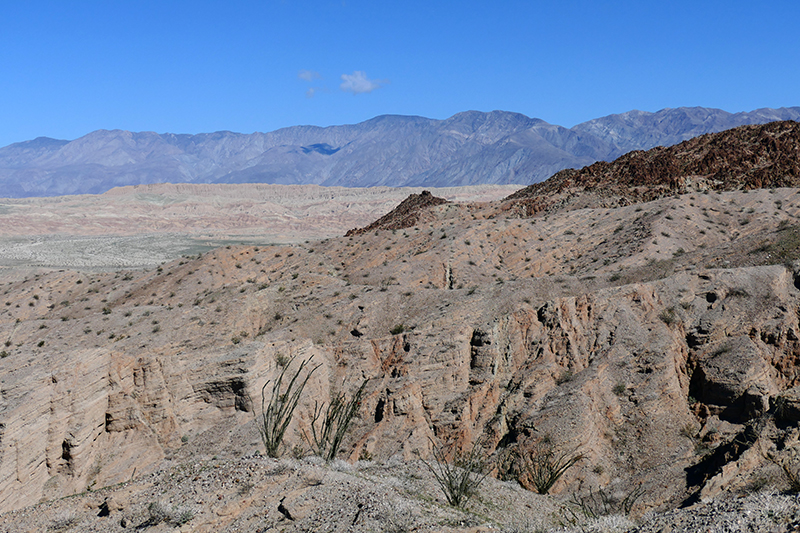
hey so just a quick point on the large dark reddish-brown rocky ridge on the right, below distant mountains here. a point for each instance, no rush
(744, 158)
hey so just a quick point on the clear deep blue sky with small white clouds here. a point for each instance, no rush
(70, 67)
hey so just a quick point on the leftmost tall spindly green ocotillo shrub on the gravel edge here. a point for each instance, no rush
(278, 409)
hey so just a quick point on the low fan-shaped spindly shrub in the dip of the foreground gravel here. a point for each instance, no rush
(460, 478)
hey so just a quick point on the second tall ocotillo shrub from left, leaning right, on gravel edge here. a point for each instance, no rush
(329, 424)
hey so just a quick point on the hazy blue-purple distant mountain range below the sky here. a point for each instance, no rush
(468, 148)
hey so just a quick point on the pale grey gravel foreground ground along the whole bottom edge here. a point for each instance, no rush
(259, 494)
